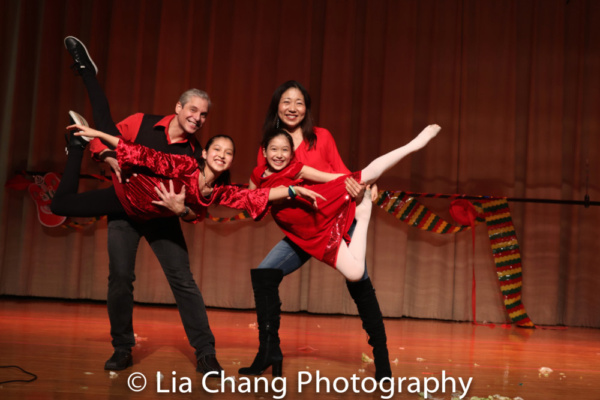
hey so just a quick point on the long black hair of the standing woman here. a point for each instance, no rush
(272, 119)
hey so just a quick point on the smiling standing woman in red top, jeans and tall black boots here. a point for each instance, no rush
(290, 109)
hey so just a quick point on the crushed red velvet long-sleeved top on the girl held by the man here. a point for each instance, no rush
(136, 195)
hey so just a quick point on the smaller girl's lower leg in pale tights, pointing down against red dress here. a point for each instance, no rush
(351, 259)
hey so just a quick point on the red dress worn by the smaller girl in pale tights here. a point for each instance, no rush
(318, 232)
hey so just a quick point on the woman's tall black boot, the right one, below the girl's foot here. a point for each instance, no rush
(363, 294)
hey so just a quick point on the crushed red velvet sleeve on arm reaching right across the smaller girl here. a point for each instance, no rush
(255, 202)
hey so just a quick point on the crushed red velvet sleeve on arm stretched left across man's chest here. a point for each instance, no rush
(168, 165)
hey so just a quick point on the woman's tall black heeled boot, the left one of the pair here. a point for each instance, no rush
(265, 283)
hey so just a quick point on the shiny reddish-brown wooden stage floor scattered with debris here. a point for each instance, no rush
(66, 344)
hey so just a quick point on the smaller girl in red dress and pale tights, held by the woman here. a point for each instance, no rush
(323, 233)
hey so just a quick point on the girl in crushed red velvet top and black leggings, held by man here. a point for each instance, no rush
(202, 182)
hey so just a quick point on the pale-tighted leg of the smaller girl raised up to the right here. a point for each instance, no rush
(383, 163)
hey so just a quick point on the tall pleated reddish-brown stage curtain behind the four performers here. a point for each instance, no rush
(514, 84)
